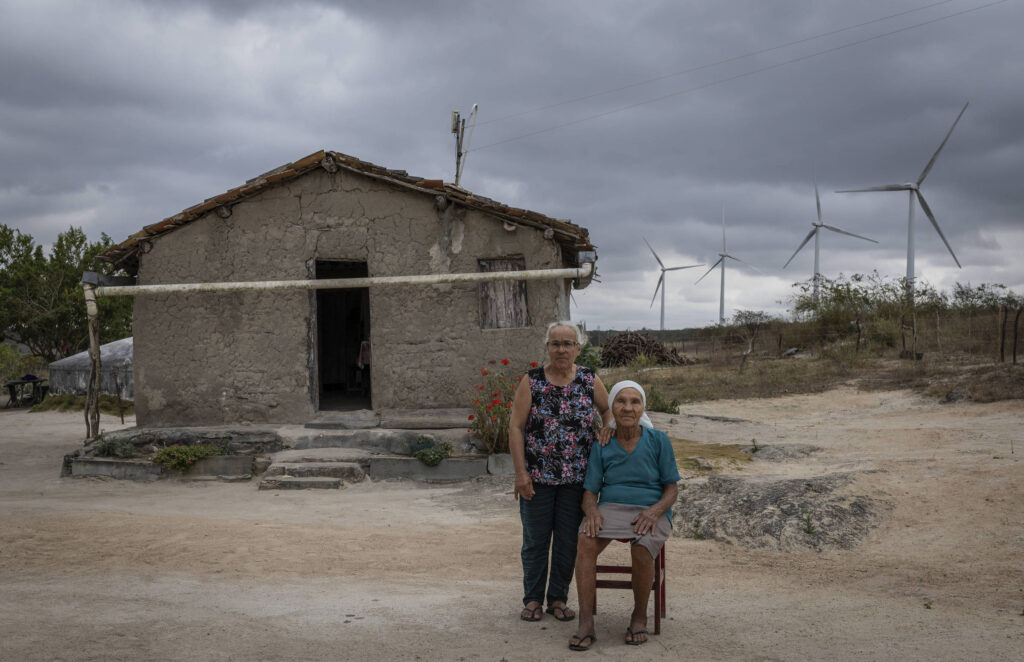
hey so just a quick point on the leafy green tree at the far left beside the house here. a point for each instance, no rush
(41, 302)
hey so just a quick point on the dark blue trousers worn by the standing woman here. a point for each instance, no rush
(550, 522)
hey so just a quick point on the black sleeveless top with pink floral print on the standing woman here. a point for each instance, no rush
(560, 428)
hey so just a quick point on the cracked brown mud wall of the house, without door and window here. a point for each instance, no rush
(212, 359)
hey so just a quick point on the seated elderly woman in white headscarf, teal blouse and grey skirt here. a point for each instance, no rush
(636, 478)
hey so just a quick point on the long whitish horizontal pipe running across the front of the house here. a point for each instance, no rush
(585, 271)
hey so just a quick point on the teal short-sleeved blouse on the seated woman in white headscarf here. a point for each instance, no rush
(634, 479)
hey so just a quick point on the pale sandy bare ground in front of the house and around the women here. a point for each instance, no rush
(107, 570)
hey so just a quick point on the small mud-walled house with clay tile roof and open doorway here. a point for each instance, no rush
(284, 357)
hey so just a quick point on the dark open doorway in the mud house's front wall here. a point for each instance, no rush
(344, 339)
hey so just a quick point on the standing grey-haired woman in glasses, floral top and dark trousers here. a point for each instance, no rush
(551, 431)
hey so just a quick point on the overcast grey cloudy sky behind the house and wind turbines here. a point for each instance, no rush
(115, 115)
